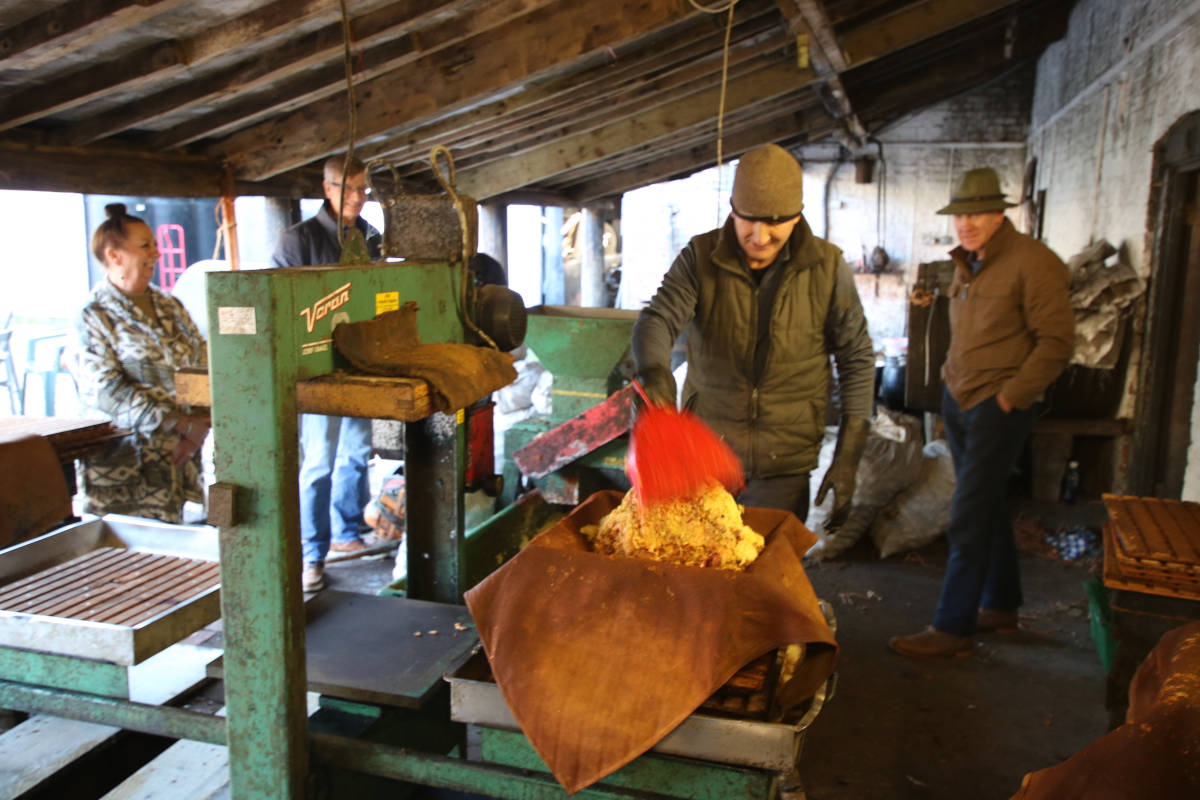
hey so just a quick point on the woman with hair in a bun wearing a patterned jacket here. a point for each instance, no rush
(133, 339)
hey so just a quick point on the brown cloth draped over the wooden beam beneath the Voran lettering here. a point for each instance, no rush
(459, 375)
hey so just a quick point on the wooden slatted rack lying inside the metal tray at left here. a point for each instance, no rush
(112, 586)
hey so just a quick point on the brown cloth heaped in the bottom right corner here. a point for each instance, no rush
(1156, 754)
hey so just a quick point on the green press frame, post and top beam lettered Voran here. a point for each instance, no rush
(271, 329)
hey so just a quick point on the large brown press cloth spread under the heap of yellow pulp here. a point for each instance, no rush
(599, 658)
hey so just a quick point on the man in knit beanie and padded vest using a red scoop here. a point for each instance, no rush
(765, 304)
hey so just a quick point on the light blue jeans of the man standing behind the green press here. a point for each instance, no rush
(334, 483)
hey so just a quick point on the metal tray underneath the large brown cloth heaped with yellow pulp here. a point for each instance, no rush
(477, 700)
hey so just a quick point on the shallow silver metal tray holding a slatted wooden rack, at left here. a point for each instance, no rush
(175, 590)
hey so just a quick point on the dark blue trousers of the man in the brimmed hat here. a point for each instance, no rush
(982, 569)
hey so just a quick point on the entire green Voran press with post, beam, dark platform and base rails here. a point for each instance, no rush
(272, 358)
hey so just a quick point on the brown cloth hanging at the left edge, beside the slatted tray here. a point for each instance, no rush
(34, 496)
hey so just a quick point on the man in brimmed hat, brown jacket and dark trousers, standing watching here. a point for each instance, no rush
(1012, 333)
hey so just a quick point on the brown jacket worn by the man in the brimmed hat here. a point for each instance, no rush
(1012, 327)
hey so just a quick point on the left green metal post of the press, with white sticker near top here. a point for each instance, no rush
(254, 371)
